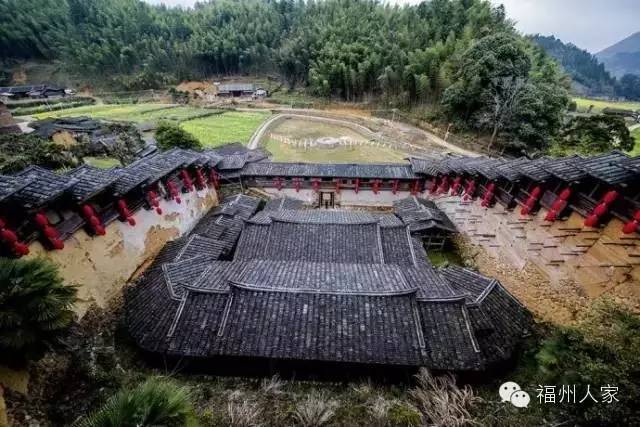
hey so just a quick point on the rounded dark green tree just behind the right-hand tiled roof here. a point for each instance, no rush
(596, 134)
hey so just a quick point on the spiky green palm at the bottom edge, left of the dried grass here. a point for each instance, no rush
(156, 402)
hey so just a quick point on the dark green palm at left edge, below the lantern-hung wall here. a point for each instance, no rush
(35, 308)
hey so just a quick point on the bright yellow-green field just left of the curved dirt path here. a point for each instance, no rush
(233, 126)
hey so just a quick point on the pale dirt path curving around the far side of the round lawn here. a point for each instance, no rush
(398, 135)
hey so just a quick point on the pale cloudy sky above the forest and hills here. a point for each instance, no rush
(589, 24)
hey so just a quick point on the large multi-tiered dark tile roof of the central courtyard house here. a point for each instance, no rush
(299, 298)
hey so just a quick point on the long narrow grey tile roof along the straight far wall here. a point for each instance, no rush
(319, 170)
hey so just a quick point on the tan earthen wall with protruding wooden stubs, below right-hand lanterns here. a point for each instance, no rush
(599, 260)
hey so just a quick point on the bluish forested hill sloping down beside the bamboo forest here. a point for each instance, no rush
(590, 77)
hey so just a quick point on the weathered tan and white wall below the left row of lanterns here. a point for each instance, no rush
(102, 265)
